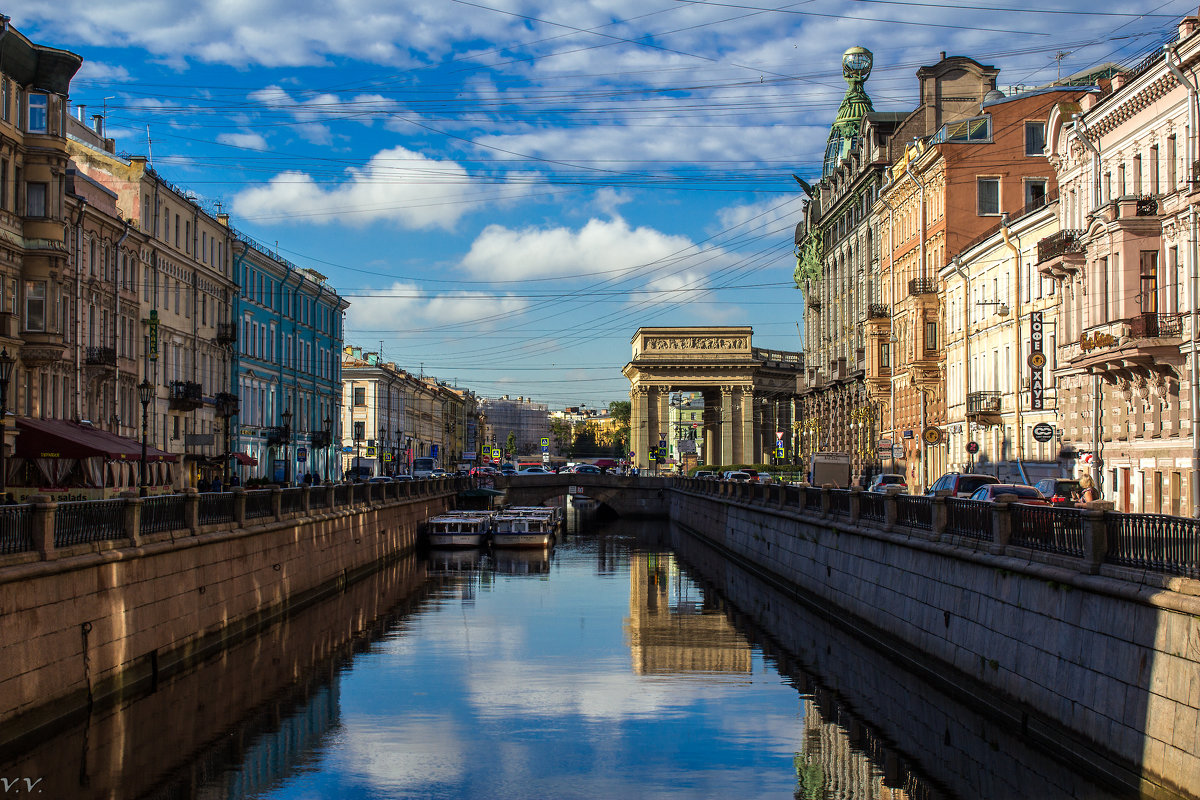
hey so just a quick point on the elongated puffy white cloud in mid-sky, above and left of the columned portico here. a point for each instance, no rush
(599, 246)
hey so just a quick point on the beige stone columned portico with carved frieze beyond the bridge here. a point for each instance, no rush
(741, 386)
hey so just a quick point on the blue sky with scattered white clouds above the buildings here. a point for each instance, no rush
(507, 190)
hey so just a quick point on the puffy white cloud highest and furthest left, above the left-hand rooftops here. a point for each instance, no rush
(397, 187)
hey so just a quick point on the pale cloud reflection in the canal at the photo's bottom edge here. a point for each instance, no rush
(398, 755)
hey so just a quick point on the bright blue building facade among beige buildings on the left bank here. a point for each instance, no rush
(287, 369)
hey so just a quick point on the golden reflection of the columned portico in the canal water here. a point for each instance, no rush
(670, 631)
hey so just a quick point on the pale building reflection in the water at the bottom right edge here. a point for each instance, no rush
(836, 763)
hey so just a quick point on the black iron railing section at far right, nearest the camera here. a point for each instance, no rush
(1155, 543)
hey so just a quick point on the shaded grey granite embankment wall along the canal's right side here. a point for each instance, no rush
(1100, 669)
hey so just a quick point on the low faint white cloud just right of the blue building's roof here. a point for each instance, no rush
(418, 308)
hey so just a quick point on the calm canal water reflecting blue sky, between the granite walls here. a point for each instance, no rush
(627, 663)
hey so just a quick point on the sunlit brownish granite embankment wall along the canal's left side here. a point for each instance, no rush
(92, 622)
